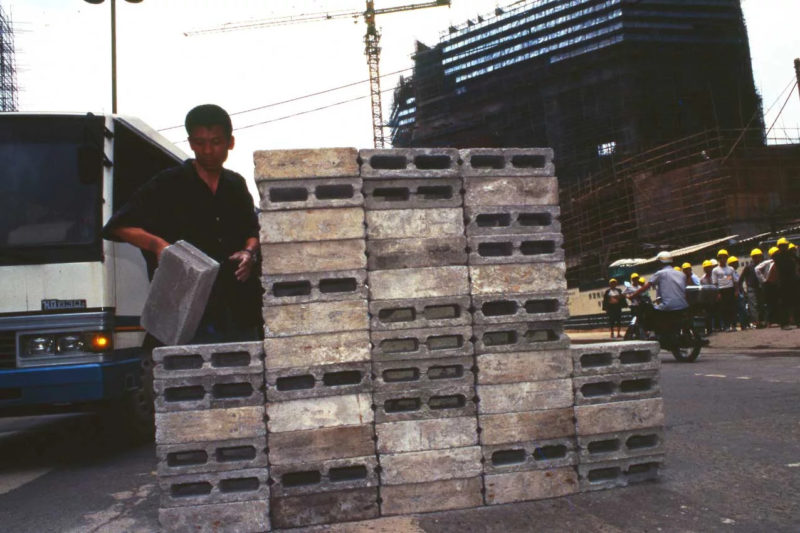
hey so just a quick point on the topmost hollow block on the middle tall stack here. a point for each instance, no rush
(409, 163)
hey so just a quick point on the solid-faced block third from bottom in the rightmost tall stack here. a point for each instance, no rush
(527, 426)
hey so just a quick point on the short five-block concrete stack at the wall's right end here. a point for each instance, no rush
(619, 413)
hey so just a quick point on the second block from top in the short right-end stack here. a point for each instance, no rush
(617, 387)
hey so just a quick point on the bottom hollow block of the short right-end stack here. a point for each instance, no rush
(620, 473)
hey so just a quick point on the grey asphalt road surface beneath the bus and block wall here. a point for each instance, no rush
(733, 464)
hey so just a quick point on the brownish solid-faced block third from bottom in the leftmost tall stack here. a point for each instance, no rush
(313, 445)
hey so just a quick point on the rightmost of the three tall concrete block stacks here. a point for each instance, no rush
(518, 292)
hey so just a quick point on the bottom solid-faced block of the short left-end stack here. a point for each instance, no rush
(234, 517)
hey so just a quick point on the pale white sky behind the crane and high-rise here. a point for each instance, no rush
(63, 61)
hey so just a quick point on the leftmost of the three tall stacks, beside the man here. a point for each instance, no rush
(318, 369)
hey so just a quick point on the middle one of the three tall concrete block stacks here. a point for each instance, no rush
(421, 331)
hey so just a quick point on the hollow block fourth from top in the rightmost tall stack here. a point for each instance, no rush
(502, 249)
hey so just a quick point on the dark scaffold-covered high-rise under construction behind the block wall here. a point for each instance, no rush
(650, 106)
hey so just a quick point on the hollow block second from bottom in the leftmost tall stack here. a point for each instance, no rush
(313, 477)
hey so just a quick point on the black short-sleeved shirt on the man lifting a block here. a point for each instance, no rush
(176, 204)
